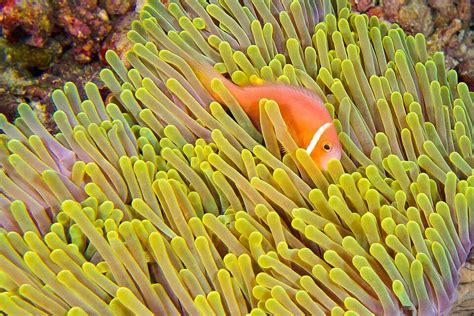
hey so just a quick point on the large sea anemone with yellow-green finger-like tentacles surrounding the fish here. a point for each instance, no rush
(161, 200)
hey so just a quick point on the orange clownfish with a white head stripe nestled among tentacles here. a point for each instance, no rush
(304, 113)
